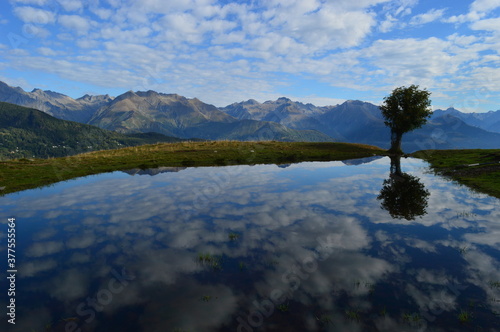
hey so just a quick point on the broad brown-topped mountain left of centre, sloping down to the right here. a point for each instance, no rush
(174, 115)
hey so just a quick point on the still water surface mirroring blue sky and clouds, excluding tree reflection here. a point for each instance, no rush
(311, 235)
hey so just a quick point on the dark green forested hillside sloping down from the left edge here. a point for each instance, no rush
(27, 132)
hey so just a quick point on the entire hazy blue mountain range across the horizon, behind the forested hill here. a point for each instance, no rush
(283, 119)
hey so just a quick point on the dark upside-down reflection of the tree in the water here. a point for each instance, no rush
(403, 195)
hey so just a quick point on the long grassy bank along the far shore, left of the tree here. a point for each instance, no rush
(21, 174)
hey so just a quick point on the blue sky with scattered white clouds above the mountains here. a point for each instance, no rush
(219, 51)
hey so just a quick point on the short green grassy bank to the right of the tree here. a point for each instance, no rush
(454, 164)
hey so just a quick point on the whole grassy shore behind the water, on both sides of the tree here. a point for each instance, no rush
(21, 174)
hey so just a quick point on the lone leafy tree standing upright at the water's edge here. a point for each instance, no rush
(406, 109)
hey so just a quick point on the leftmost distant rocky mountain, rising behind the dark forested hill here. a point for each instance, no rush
(53, 103)
